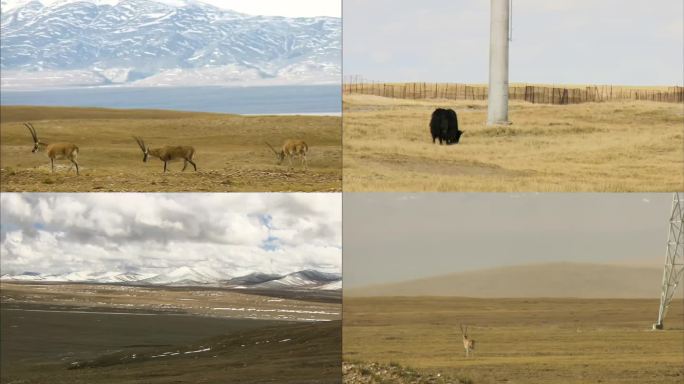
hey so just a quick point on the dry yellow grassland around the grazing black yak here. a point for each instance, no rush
(606, 147)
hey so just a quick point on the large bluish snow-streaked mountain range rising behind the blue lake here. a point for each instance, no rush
(162, 42)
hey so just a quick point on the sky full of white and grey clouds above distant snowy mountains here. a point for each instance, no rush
(234, 234)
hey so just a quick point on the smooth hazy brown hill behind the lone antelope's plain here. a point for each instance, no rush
(579, 280)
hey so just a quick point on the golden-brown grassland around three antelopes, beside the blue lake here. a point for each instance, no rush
(231, 153)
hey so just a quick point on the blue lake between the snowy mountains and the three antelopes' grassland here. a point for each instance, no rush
(295, 99)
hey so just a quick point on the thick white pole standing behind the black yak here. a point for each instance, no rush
(498, 62)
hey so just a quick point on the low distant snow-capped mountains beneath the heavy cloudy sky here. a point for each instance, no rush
(193, 276)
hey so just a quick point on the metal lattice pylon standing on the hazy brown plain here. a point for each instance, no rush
(674, 258)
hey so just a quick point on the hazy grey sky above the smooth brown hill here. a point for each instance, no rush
(395, 236)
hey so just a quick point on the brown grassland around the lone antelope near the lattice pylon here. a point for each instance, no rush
(517, 340)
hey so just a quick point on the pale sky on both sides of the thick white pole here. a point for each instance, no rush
(559, 41)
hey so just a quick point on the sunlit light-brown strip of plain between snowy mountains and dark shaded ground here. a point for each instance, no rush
(206, 301)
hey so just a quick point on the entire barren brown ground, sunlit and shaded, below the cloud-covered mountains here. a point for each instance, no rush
(84, 333)
